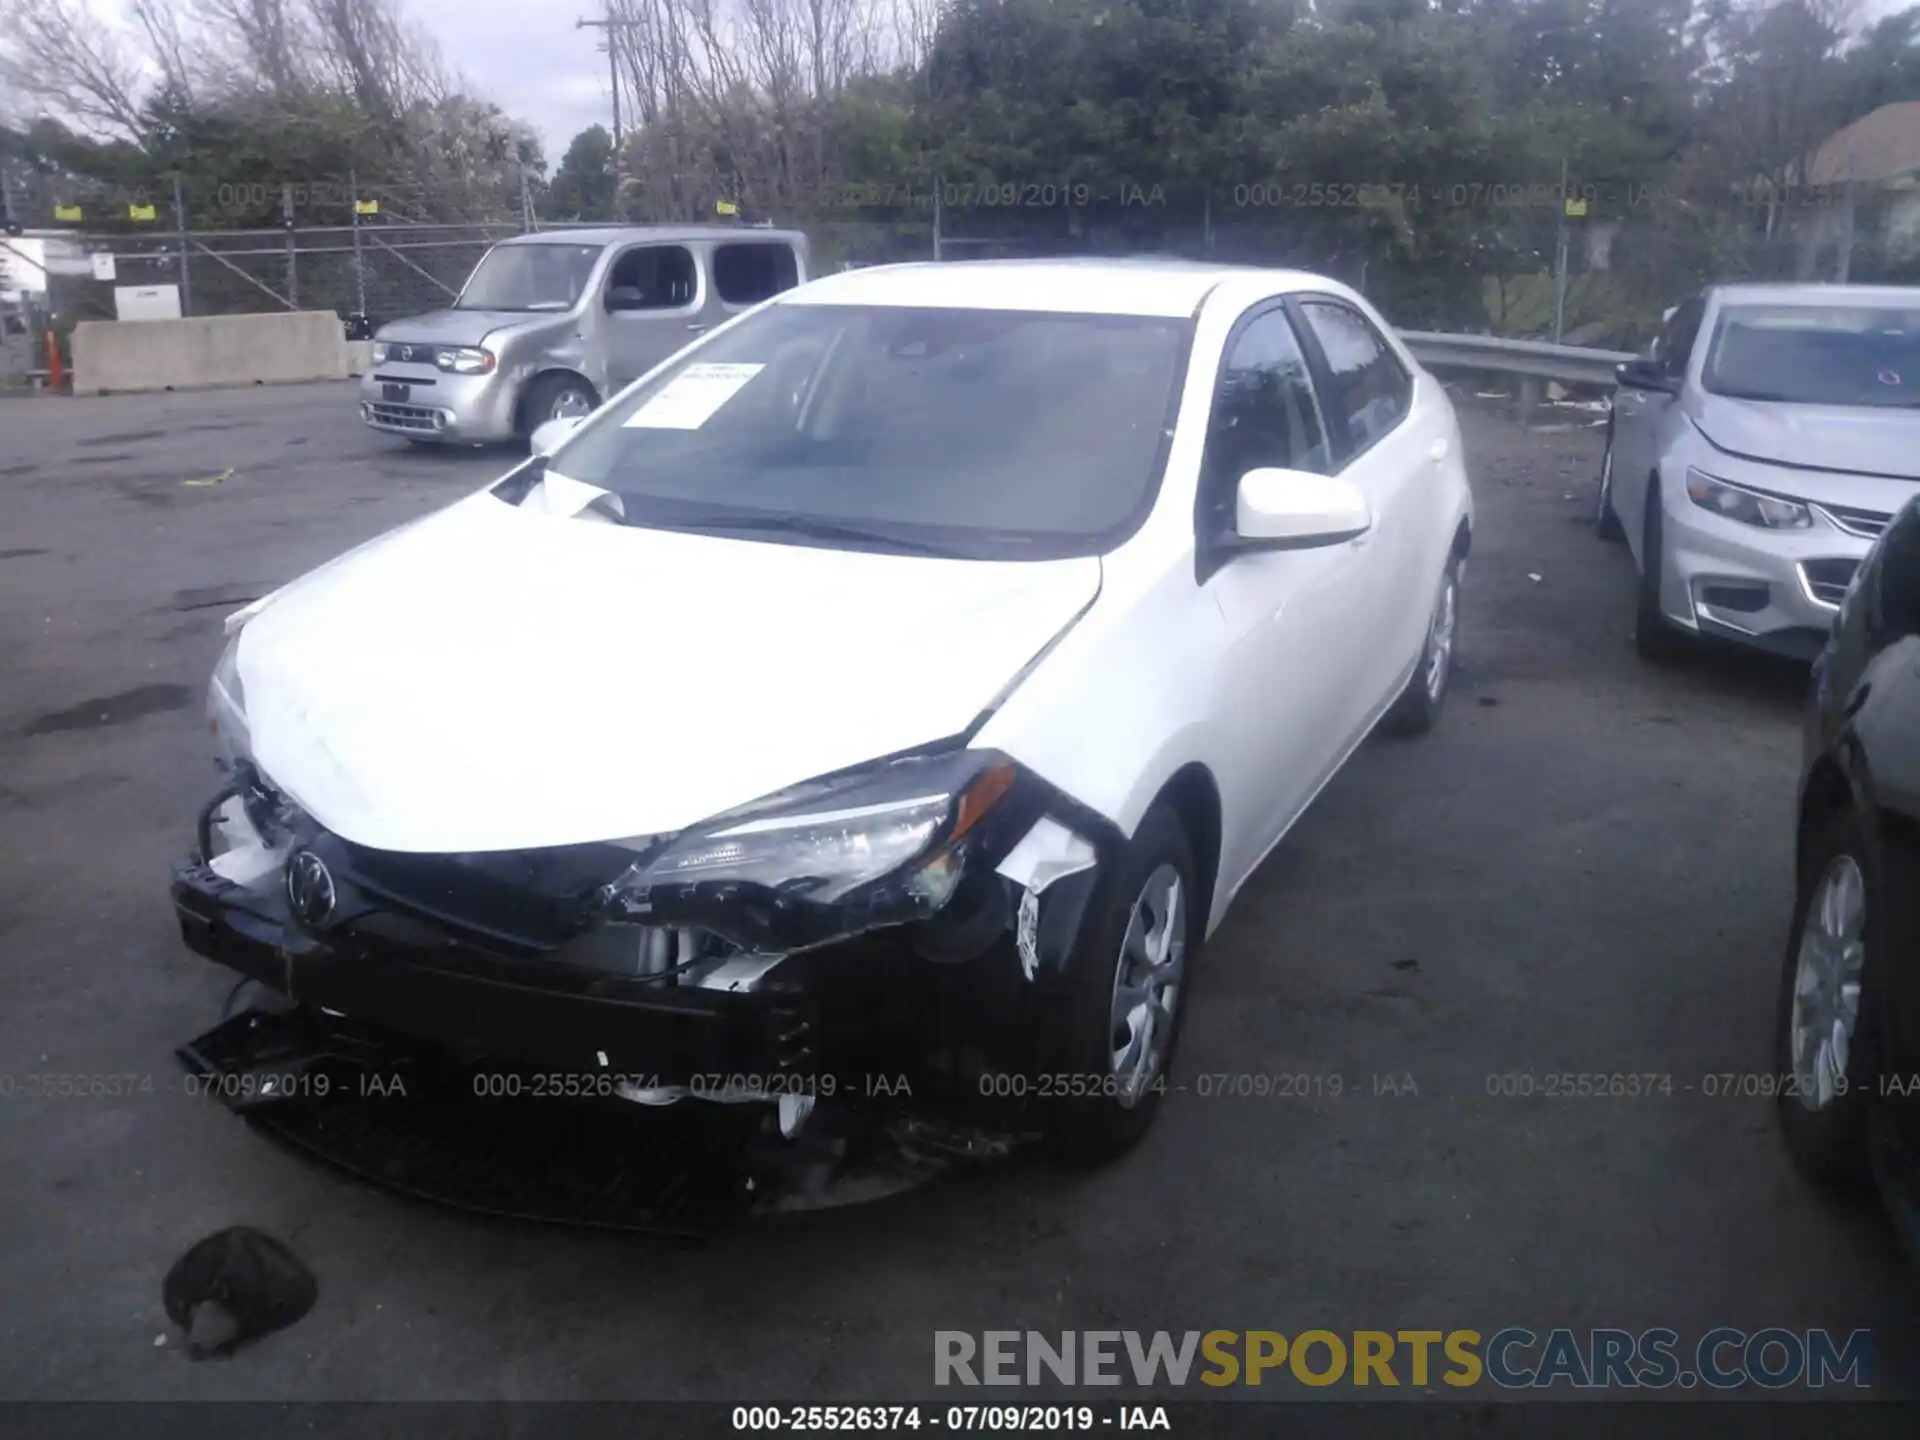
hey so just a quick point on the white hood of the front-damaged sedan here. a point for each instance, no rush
(500, 679)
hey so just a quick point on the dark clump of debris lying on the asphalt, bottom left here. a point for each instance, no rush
(233, 1287)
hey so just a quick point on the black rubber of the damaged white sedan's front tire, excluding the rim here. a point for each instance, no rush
(1105, 1124)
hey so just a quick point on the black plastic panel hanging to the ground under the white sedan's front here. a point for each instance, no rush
(421, 1130)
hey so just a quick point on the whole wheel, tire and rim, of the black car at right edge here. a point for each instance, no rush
(1825, 1040)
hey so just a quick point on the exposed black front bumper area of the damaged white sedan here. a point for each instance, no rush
(848, 1020)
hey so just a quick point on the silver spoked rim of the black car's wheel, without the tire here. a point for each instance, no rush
(1827, 984)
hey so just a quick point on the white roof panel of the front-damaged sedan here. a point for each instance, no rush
(1147, 285)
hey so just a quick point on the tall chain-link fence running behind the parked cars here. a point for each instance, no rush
(1466, 256)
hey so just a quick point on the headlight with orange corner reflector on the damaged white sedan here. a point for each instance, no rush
(882, 846)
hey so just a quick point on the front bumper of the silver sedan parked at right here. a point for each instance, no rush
(1775, 590)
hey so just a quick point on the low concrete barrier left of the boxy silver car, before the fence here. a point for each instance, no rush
(201, 354)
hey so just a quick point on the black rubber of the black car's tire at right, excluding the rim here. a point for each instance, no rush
(1829, 1141)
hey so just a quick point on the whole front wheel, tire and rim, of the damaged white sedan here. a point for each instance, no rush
(1128, 990)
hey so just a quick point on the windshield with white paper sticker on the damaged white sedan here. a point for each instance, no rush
(996, 435)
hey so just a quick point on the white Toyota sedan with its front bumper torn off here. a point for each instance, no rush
(900, 683)
